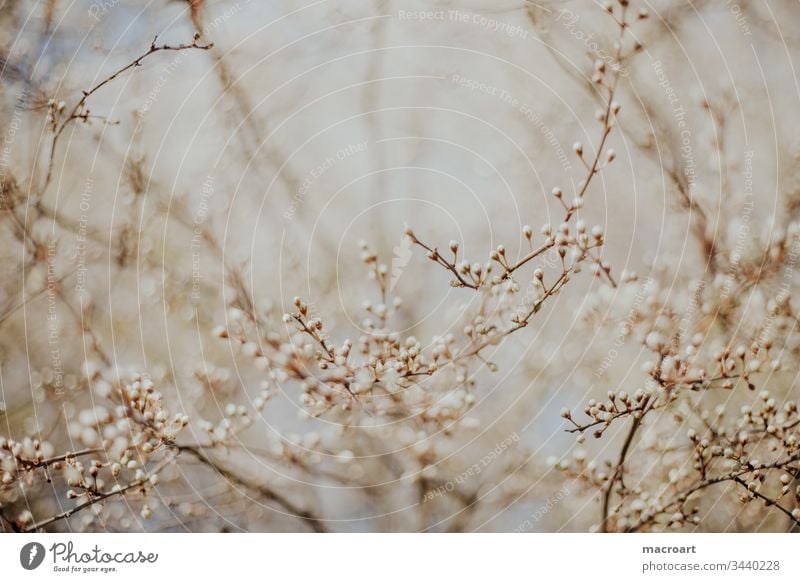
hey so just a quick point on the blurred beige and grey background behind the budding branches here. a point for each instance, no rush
(254, 169)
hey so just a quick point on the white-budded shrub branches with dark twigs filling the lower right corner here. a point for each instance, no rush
(754, 447)
